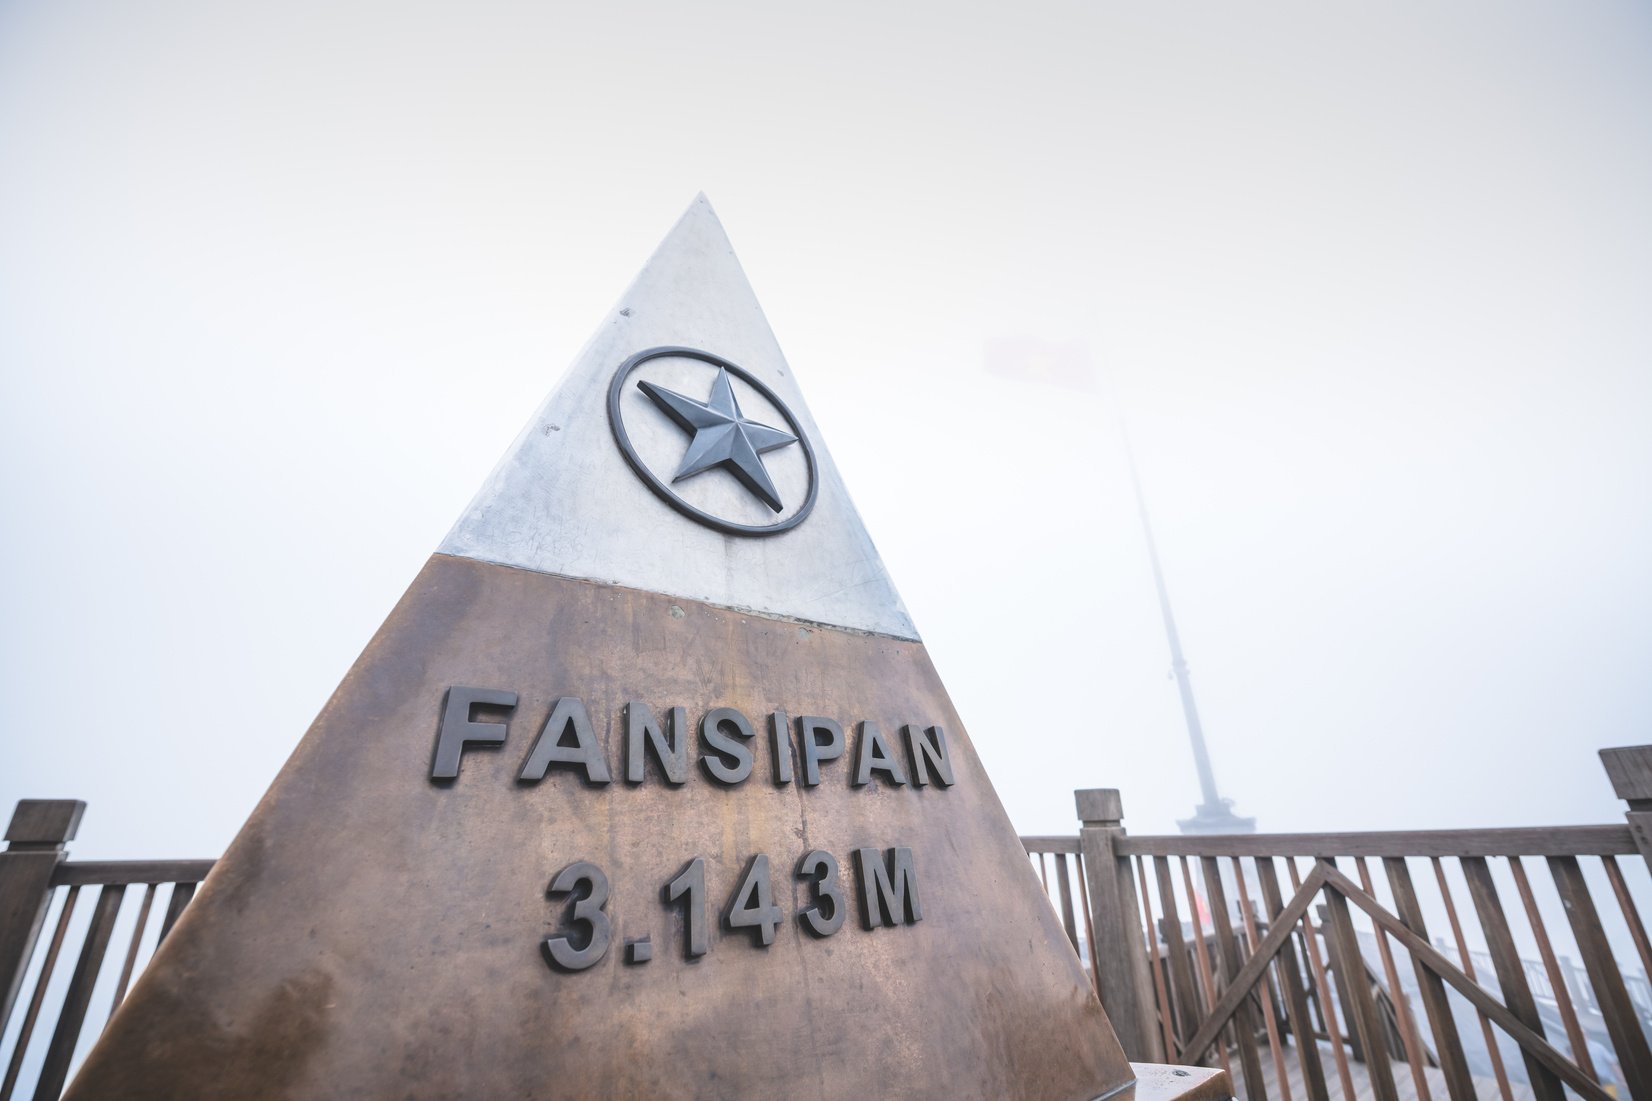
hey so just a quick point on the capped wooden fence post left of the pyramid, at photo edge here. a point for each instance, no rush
(36, 846)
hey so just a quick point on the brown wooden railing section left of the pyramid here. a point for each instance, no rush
(40, 890)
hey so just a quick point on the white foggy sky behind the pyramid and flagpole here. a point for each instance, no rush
(1369, 284)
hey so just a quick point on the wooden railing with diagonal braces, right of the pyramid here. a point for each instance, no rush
(1308, 970)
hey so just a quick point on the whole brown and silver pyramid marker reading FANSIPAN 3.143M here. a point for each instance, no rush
(645, 789)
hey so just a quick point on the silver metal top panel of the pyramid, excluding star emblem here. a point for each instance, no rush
(566, 502)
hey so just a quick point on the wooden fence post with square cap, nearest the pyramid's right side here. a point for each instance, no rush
(1121, 950)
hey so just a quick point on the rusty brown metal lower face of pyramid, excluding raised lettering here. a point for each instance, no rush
(374, 935)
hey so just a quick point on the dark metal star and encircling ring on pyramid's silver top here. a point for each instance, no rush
(718, 437)
